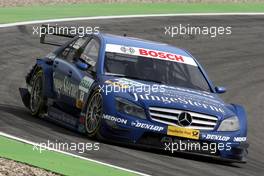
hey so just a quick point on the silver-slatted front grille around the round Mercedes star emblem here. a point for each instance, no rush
(170, 117)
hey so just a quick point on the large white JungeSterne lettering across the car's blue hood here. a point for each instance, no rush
(179, 99)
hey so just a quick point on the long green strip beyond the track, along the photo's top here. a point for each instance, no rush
(15, 14)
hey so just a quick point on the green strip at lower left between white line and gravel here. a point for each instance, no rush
(53, 161)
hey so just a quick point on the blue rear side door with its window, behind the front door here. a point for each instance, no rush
(65, 73)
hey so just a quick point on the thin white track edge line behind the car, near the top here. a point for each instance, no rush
(123, 16)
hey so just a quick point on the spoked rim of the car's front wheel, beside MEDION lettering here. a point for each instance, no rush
(94, 113)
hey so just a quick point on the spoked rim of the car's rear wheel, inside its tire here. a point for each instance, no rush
(35, 98)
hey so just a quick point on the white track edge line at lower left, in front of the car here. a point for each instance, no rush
(70, 154)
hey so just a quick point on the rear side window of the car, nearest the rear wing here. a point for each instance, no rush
(73, 50)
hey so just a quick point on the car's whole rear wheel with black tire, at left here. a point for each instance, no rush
(37, 102)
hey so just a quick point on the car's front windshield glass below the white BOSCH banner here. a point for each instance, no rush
(155, 70)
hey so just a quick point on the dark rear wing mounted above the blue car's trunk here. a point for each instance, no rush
(48, 30)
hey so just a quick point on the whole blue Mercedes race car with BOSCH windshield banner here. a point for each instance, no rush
(135, 91)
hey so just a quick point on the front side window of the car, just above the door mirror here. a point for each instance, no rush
(91, 52)
